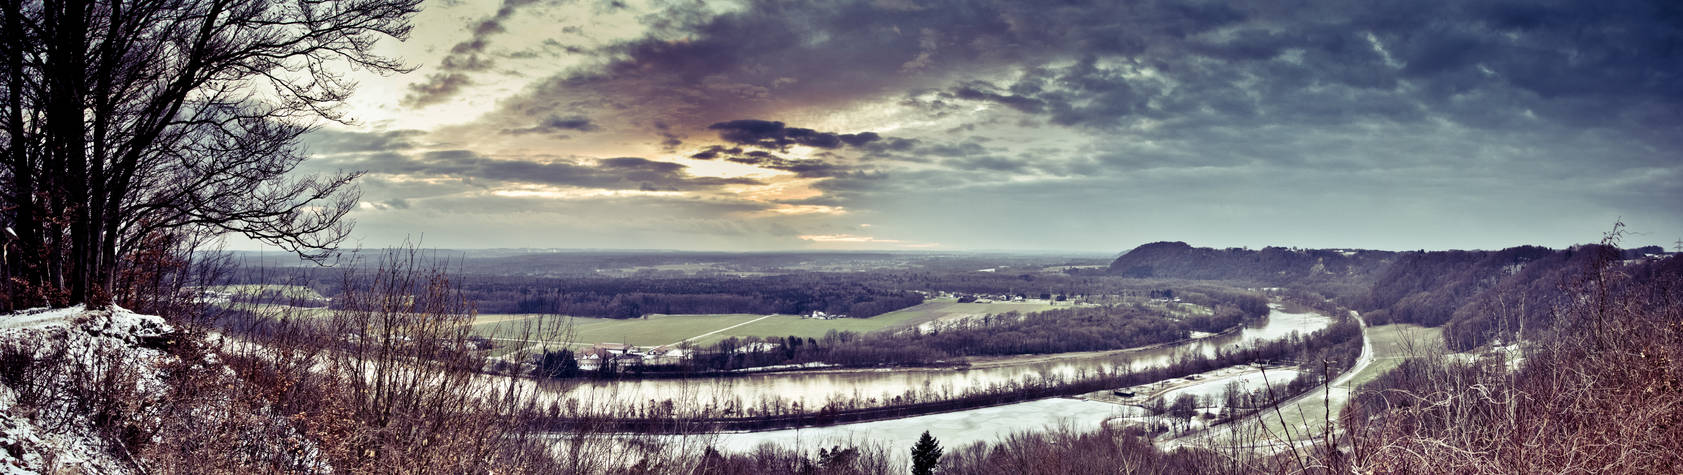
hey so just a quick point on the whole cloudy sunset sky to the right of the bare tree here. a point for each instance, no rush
(1019, 125)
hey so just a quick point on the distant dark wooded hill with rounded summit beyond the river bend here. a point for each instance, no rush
(1278, 267)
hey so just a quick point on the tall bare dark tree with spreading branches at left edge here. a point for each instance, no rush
(127, 119)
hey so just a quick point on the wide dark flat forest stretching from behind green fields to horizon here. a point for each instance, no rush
(797, 292)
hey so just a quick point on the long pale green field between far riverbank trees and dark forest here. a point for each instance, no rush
(708, 329)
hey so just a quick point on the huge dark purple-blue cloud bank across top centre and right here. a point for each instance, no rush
(1105, 65)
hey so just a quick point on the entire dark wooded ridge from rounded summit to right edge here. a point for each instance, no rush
(1475, 296)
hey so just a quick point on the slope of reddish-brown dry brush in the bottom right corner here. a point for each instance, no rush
(1596, 390)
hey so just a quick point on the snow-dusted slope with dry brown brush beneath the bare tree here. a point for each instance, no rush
(114, 392)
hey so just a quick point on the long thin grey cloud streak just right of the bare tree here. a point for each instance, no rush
(615, 174)
